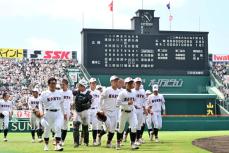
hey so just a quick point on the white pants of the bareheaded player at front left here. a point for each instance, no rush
(54, 122)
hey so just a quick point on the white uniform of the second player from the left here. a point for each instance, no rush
(33, 103)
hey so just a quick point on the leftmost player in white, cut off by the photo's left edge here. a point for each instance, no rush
(5, 114)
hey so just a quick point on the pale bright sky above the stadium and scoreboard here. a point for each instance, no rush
(56, 24)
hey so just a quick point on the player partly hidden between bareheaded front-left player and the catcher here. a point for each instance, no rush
(68, 101)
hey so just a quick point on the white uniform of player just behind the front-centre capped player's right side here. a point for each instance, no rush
(139, 103)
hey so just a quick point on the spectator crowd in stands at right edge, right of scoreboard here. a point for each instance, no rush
(221, 72)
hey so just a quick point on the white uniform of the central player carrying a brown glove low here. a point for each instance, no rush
(108, 104)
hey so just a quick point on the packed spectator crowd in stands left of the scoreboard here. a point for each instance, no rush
(19, 76)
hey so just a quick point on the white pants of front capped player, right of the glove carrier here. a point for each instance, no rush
(129, 117)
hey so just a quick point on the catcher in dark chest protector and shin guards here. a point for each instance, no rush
(82, 104)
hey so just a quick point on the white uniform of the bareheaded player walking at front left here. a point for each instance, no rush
(53, 105)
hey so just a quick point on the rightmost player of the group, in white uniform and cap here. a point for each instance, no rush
(156, 103)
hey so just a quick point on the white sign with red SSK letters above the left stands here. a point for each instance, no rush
(65, 55)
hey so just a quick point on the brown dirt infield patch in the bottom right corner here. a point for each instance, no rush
(218, 144)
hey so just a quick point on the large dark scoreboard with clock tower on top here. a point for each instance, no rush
(145, 49)
